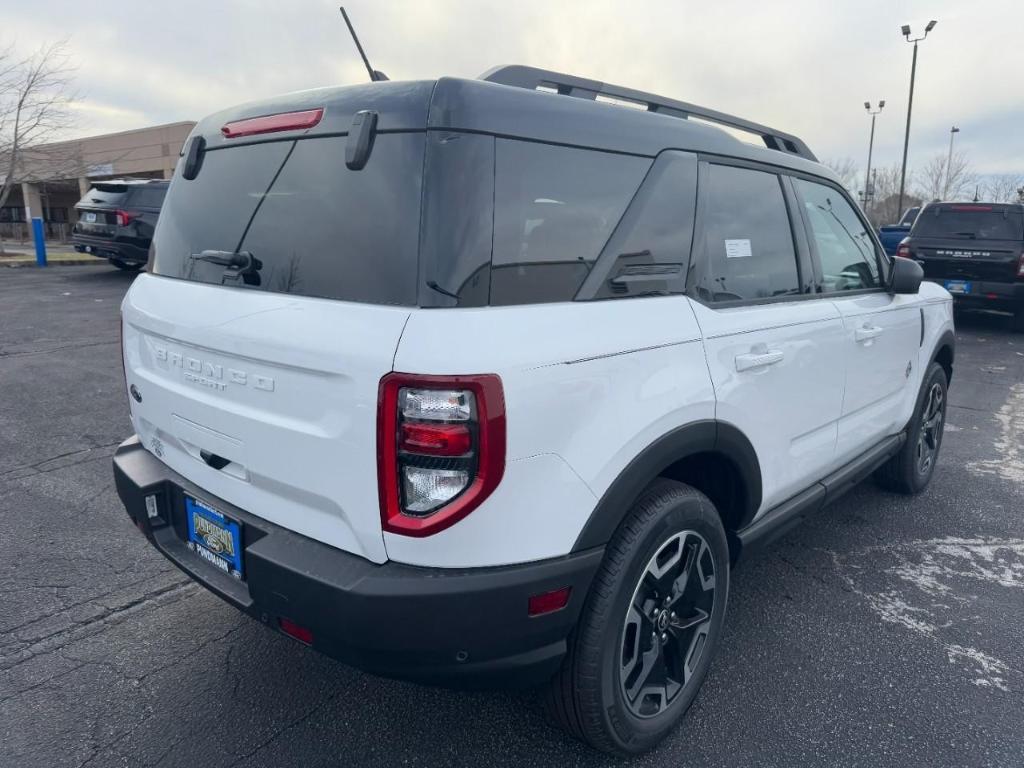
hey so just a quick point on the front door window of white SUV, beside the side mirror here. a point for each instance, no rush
(846, 249)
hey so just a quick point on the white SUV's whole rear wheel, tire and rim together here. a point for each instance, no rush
(672, 529)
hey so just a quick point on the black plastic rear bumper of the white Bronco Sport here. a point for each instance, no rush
(451, 627)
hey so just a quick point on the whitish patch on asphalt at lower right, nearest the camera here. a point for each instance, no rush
(922, 590)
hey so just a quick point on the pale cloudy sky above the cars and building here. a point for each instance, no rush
(804, 66)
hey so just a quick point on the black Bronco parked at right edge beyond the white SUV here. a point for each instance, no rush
(975, 250)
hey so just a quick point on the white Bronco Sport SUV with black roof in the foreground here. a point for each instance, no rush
(487, 381)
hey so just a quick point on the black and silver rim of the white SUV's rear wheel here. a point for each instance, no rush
(667, 624)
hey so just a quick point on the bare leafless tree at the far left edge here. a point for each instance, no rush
(35, 95)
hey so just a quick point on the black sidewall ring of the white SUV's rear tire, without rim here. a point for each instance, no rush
(691, 513)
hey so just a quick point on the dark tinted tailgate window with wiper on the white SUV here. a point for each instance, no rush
(319, 230)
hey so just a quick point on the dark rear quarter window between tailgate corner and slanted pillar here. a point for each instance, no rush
(554, 210)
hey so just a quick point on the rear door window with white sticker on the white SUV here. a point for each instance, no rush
(748, 250)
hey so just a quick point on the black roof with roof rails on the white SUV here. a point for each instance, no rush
(519, 112)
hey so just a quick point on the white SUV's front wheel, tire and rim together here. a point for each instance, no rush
(911, 471)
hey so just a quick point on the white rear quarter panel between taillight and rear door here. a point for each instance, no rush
(588, 386)
